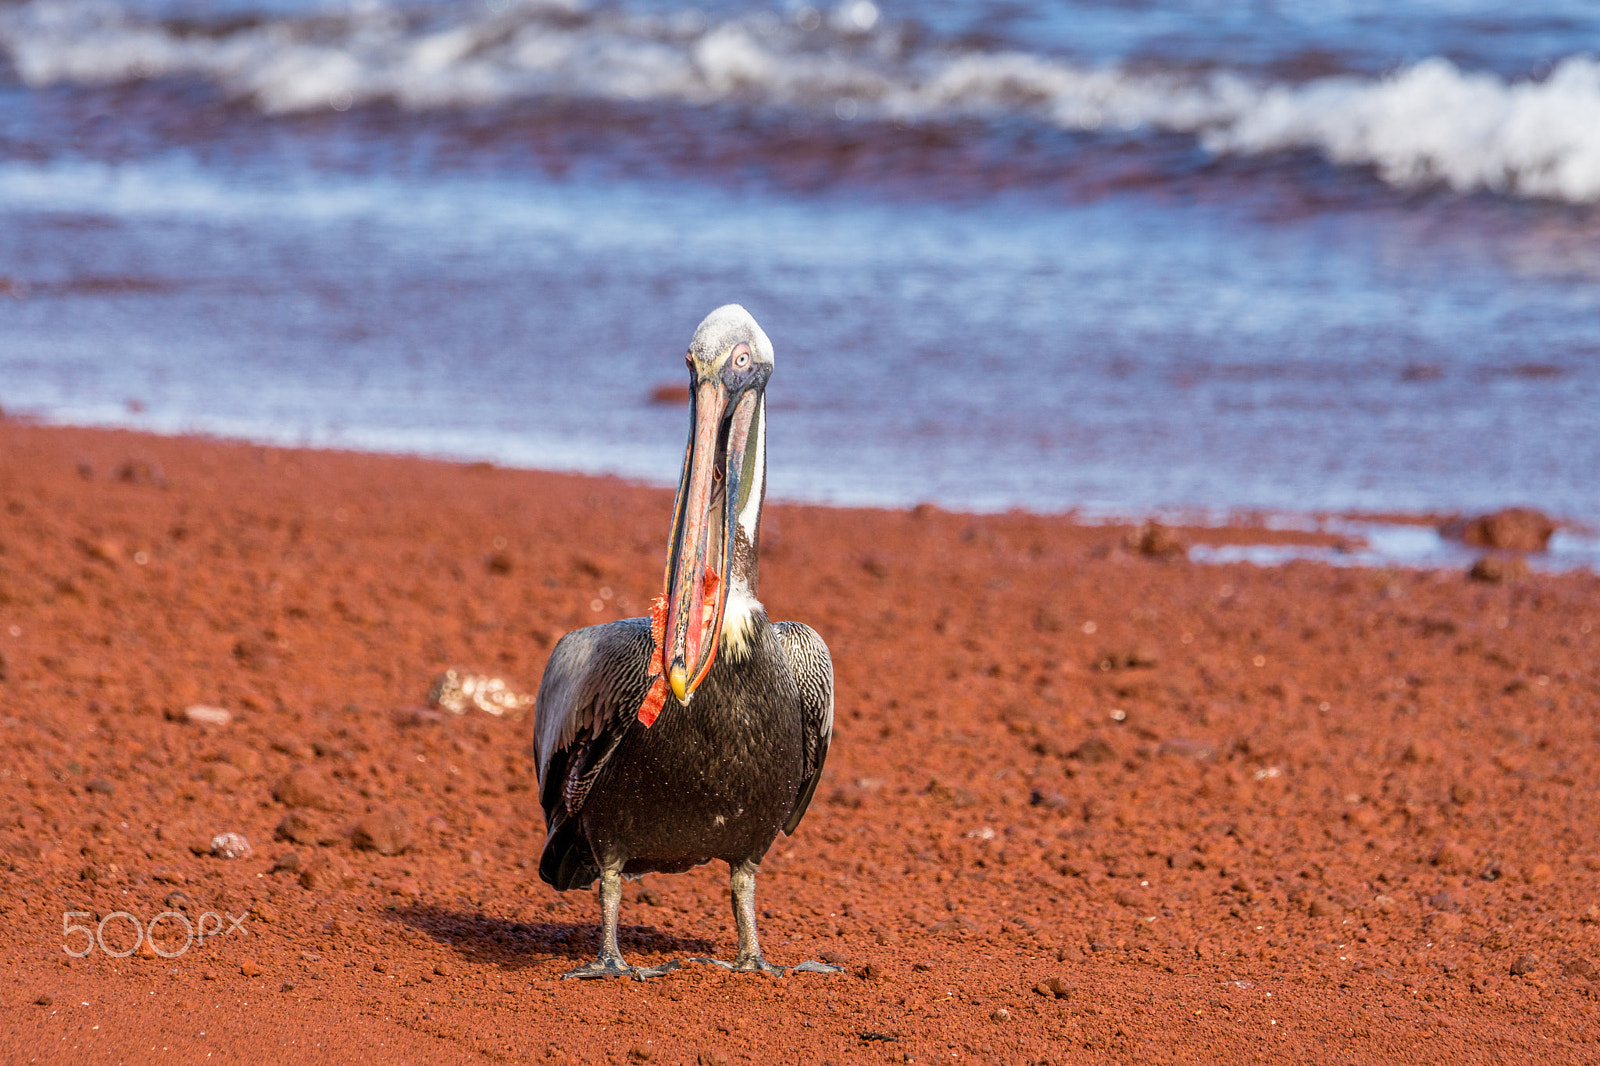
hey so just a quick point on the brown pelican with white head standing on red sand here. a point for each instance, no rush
(700, 732)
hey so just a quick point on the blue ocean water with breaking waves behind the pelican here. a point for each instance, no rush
(1124, 258)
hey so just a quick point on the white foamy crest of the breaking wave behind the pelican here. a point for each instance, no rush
(1425, 124)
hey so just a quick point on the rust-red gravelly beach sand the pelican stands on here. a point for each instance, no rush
(1087, 801)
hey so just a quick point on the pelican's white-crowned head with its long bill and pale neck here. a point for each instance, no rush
(716, 524)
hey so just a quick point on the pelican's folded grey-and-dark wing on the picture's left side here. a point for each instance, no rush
(593, 686)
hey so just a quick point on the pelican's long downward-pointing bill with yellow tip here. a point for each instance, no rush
(705, 523)
